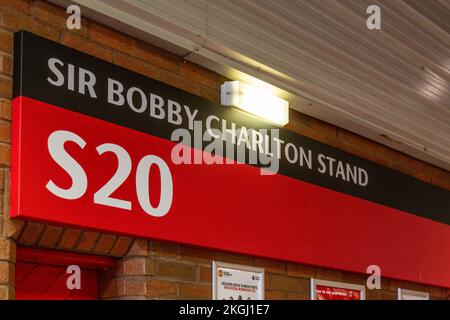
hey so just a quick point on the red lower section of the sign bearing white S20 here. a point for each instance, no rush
(230, 207)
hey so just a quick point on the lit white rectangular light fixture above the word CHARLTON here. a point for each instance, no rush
(255, 101)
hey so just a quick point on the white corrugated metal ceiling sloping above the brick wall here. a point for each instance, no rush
(393, 82)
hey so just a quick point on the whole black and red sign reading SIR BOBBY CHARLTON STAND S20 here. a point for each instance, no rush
(97, 146)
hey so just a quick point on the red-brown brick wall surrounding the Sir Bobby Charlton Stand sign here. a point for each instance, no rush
(153, 269)
